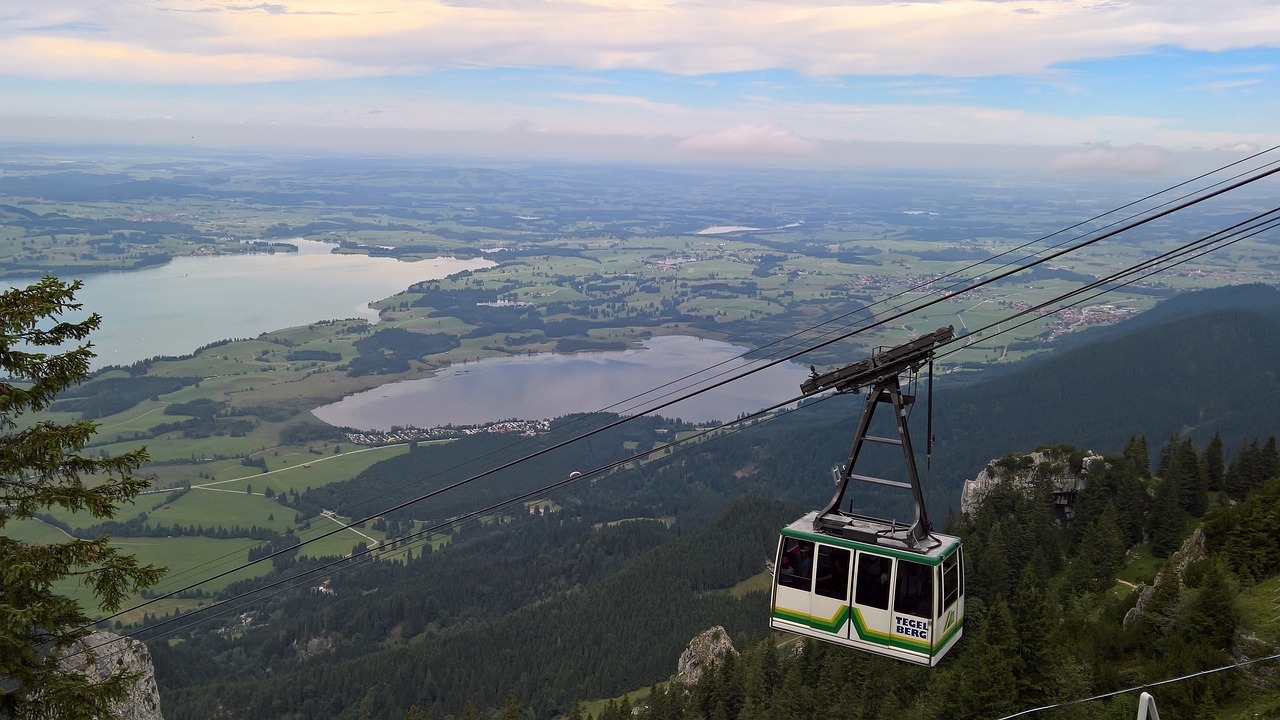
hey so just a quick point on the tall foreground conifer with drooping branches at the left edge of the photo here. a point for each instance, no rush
(42, 467)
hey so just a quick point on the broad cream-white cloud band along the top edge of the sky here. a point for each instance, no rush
(694, 38)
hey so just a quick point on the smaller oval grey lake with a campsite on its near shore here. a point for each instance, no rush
(545, 386)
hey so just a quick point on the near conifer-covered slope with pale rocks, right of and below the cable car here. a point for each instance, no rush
(1048, 621)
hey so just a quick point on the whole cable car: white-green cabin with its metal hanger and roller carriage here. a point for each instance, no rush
(874, 585)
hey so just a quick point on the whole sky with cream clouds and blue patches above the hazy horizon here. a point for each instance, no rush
(1139, 88)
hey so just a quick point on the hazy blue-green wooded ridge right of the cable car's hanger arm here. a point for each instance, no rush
(1208, 364)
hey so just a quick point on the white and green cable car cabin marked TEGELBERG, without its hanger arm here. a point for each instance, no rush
(898, 603)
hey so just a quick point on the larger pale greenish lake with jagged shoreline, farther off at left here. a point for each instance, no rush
(173, 309)
